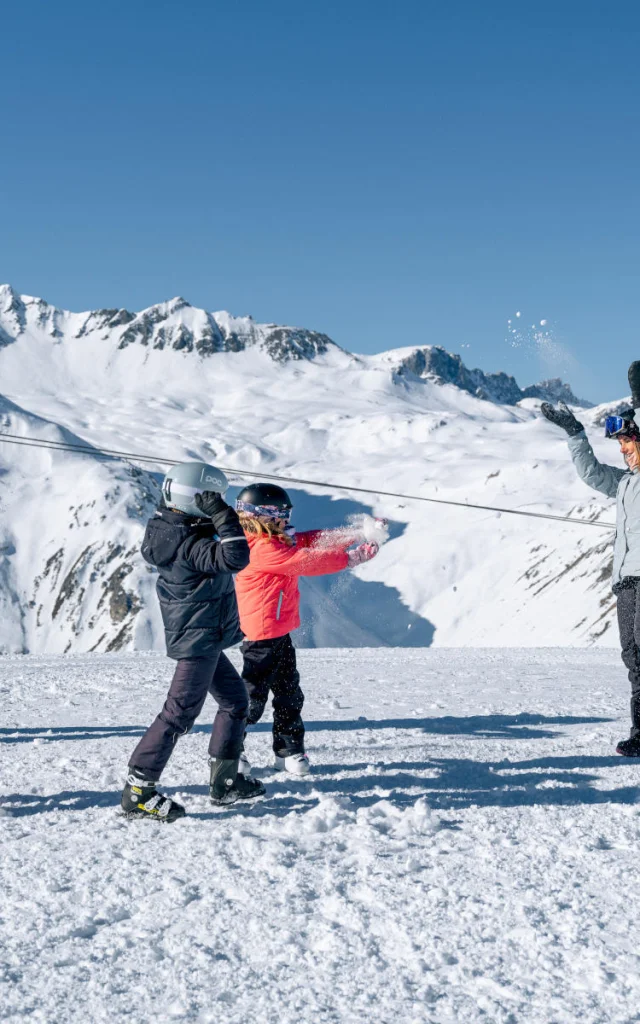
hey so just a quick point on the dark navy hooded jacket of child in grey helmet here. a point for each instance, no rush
(195, 560)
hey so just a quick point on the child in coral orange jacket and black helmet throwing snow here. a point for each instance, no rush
(269, 602)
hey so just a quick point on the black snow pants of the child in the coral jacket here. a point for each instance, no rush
(271, 666)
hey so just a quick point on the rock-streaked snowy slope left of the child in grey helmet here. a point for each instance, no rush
(70, 570)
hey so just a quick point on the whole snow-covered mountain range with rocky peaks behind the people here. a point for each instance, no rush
(181, 383)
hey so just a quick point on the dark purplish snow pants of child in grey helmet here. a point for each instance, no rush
(194, 678)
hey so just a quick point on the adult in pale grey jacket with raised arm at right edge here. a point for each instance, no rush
(624, 485)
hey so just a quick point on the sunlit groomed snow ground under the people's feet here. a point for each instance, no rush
(465, 850)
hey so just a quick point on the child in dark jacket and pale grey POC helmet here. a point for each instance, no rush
(196, 542)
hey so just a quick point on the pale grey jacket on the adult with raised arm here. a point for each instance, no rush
(625, 487)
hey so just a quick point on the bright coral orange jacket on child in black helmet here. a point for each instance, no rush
(269, 599)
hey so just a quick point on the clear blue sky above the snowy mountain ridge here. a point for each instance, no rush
(393, 174)
